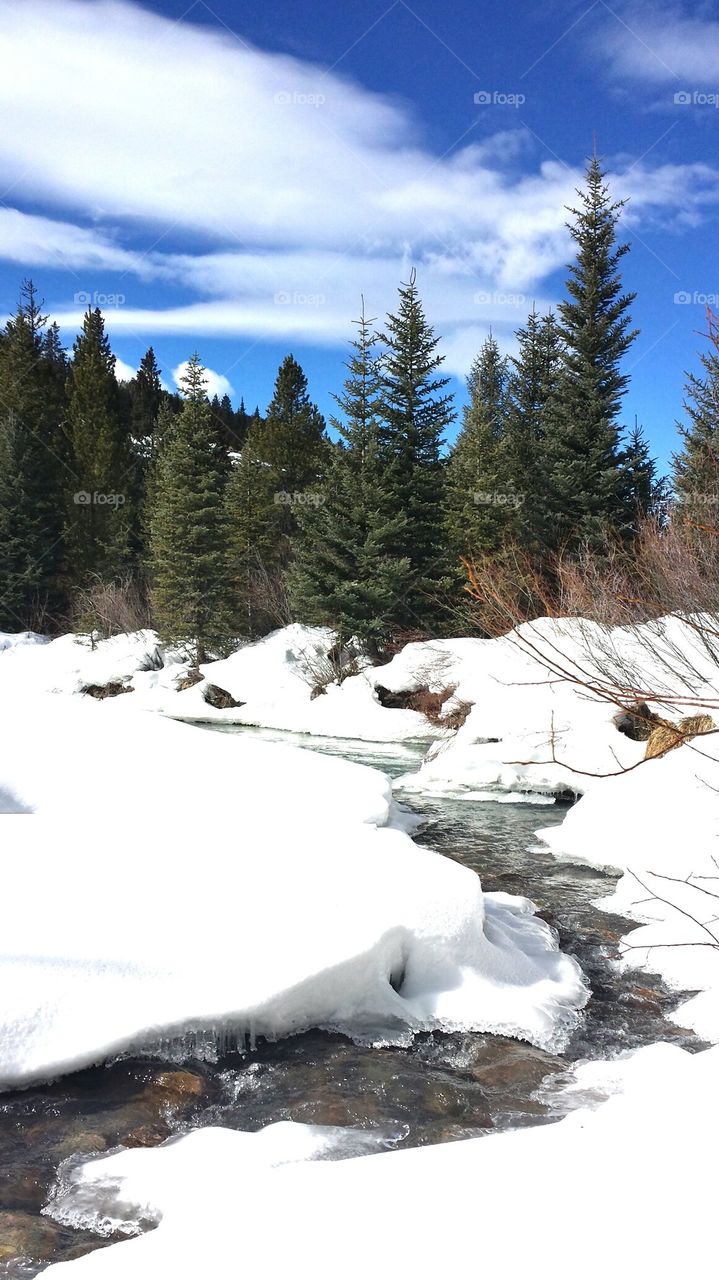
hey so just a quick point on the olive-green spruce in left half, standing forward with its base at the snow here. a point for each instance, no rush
(191, 592)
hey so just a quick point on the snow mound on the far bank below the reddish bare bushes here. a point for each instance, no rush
(528, 732)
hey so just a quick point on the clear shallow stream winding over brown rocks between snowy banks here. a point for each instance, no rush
(441, 1089)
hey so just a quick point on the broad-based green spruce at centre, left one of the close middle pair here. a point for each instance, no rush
(345, 573)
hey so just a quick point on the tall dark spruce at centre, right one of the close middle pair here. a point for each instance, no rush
(415, 412)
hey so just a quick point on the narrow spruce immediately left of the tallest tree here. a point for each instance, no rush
(532, 390)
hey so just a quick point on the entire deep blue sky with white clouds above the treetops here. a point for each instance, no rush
(231, 179)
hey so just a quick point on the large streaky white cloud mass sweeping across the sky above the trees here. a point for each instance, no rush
(304, 189)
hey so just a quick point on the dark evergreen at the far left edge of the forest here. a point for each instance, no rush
(34, 472)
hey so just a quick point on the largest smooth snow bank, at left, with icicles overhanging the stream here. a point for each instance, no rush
(175, 883)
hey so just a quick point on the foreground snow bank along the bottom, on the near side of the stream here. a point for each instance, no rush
(425, 1212)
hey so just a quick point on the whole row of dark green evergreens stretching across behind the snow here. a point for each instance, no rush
(230, 524)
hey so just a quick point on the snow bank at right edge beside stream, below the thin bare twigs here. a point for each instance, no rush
(661, 825)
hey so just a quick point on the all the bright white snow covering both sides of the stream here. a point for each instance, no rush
(175, 884)
